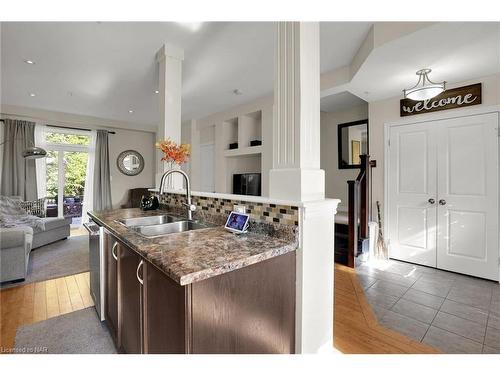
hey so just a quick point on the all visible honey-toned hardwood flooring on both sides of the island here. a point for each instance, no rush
(356, 327)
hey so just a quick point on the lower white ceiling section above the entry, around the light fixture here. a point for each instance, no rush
(454, 51)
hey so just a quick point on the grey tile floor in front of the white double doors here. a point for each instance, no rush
(452, 312)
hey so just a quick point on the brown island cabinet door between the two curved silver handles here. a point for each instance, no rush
(130, 300)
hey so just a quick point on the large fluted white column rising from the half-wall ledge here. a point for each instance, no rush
(296, 173)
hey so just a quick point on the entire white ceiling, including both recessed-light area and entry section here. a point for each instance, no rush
(106, 69)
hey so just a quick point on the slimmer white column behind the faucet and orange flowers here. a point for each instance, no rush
(169, 59)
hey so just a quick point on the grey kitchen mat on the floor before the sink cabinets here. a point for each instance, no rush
(79, 332)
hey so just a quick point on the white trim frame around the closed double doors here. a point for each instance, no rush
(435, 116)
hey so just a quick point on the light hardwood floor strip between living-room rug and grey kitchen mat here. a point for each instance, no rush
(31, 303)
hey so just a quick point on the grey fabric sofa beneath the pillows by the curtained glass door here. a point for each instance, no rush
(16, 244)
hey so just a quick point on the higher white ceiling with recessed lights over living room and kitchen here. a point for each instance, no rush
(106, 69)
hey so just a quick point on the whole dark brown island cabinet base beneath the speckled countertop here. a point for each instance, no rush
(250, 310)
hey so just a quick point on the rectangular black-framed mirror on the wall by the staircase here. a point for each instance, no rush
(352, 142)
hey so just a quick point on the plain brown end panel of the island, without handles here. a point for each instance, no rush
(247, 311)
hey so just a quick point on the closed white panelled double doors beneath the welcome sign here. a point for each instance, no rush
(443, 194)
